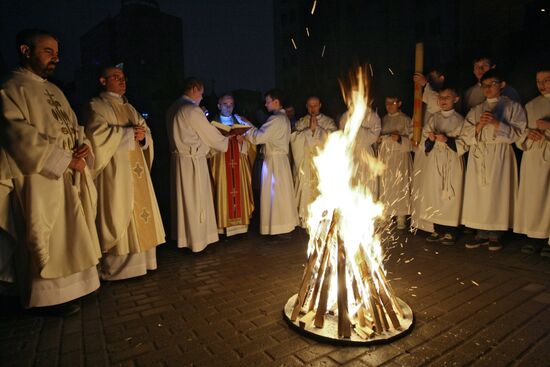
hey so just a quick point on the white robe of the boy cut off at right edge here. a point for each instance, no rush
(532, 215)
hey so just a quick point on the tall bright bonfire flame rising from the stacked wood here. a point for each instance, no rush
(349, 205)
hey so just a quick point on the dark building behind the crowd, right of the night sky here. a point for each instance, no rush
(314, 50)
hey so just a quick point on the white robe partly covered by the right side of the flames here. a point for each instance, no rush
(363, 153)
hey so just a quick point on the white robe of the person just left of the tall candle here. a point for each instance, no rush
(395, 180)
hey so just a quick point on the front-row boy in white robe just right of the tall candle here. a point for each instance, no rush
(443, 172)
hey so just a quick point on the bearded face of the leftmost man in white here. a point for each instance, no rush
(43, 57)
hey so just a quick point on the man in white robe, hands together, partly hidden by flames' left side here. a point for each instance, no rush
(311, 132)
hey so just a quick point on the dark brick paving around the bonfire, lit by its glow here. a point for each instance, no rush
(223, 307)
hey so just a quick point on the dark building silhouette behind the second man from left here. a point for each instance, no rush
(147, 41)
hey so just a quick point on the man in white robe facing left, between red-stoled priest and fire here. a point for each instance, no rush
(278, 213)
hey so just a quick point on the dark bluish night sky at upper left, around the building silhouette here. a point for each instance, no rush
(219, 35)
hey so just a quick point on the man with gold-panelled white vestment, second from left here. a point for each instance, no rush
(128, 218)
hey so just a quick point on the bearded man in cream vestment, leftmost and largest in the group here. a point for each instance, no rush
(54, 189)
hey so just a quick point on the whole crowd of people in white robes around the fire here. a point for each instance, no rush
(77, 202)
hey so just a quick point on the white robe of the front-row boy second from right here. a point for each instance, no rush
(491, 184)
